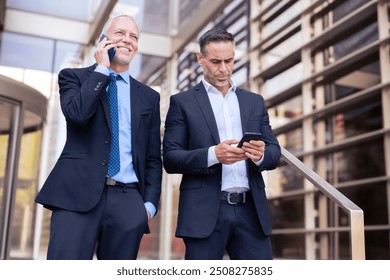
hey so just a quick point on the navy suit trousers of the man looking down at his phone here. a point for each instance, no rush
(237, 232)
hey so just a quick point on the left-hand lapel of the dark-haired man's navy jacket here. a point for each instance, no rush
(205, 106)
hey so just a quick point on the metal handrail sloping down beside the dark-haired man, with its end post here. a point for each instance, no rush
(354, 212)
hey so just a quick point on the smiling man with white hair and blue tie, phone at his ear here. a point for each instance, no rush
(106, 183)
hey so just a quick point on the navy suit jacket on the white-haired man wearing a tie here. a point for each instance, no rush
(77, 180)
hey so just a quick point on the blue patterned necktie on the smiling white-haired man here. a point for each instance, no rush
(114, 162)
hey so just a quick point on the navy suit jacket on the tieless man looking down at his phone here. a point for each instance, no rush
(190, 129)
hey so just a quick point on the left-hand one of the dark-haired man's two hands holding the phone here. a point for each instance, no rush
(227, 153)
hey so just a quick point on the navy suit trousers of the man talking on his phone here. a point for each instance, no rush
(113, 228)
